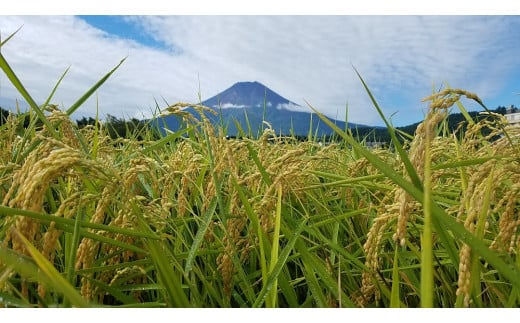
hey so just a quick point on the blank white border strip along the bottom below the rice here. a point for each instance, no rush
(299, 315)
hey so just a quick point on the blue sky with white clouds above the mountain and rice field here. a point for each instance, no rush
(303, 58)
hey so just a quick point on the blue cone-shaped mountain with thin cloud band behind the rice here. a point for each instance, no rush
(250, 103)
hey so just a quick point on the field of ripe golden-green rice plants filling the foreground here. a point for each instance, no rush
(193, 219)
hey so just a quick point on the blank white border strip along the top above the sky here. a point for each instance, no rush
(262, 7)
